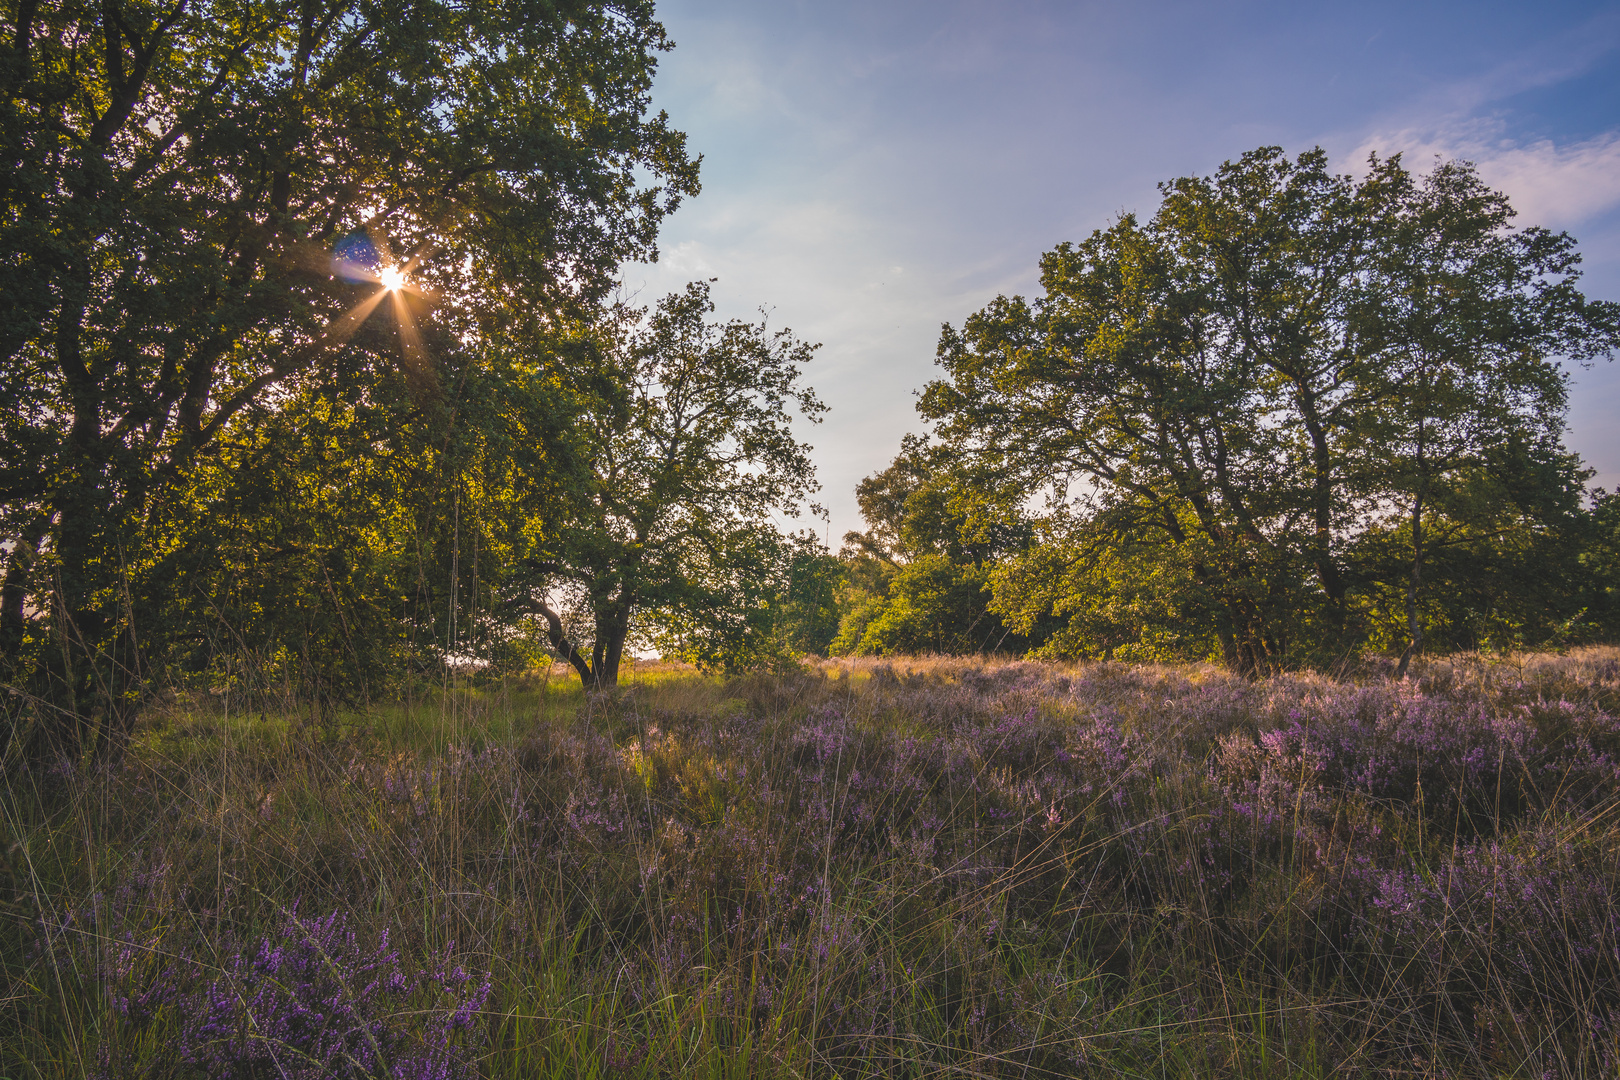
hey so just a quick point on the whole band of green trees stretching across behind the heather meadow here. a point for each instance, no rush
(317, 385)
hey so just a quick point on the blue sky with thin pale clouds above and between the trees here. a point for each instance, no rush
(877, 169)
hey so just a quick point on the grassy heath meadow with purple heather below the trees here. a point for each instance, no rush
(864, 869)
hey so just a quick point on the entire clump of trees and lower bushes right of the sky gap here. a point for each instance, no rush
(1292, 417)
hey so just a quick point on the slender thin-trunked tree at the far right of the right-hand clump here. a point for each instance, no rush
(1459, 317)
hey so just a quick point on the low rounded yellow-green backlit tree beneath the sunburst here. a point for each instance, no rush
(351, 540)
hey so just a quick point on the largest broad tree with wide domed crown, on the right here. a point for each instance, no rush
(1221, 389)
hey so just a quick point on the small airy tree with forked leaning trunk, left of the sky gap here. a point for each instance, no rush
(680, 457)
